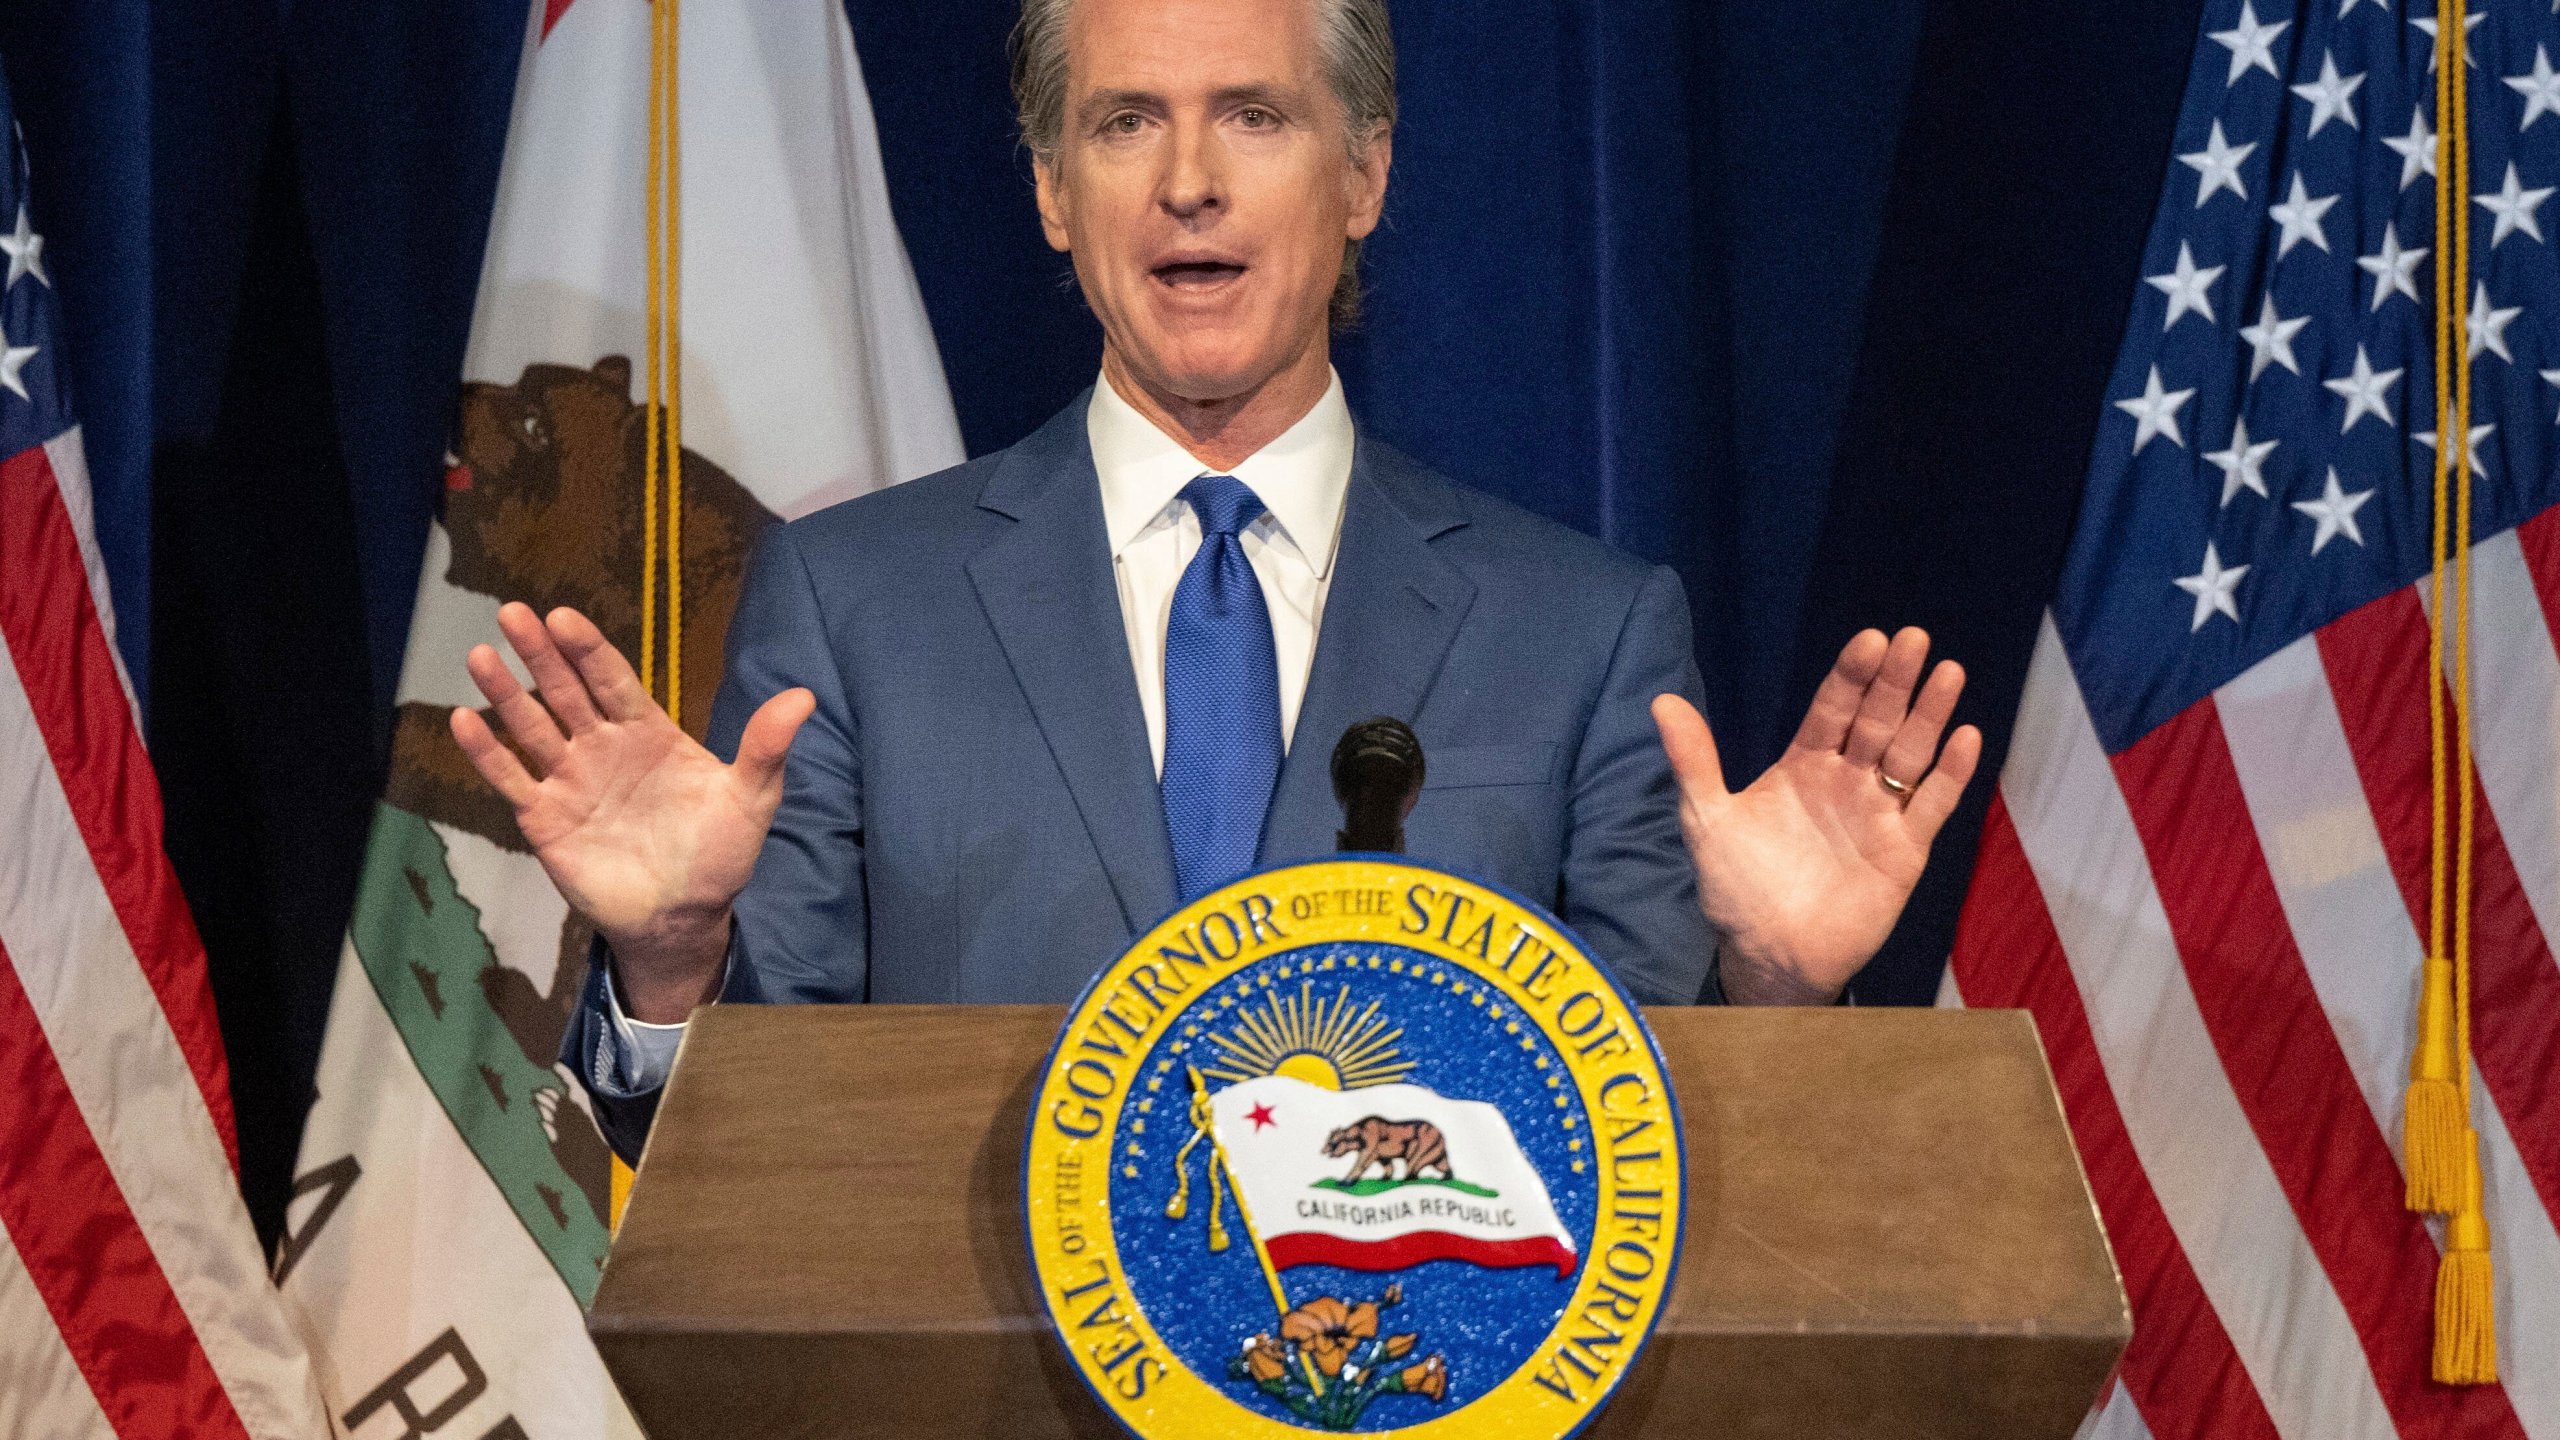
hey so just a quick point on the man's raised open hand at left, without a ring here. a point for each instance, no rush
(646, 834)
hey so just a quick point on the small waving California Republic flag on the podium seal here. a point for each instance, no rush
(1384, 1177)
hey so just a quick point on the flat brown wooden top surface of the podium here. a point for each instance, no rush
(859, 1170)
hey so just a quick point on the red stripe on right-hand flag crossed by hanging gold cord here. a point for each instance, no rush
(2377, 660)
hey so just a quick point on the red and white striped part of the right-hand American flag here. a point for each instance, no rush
(2221, 937)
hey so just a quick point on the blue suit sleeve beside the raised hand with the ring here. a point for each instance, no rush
(1629, 885)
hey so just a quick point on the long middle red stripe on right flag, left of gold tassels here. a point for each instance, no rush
(2287, 1070)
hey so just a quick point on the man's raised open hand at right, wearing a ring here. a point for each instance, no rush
(1806, 872)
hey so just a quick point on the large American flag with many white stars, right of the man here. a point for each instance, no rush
(2205, 870)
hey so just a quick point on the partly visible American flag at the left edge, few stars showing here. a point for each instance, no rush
(134, 1300)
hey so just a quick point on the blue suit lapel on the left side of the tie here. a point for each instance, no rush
(1046, 588)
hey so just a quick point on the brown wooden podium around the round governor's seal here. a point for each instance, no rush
(1888, 1234)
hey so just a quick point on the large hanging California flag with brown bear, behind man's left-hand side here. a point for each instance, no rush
(452, 1206)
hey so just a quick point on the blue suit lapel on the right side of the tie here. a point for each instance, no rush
(1389, 621)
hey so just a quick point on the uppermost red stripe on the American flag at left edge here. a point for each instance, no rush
(88, 726)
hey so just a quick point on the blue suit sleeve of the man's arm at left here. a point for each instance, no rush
(803, 924)
